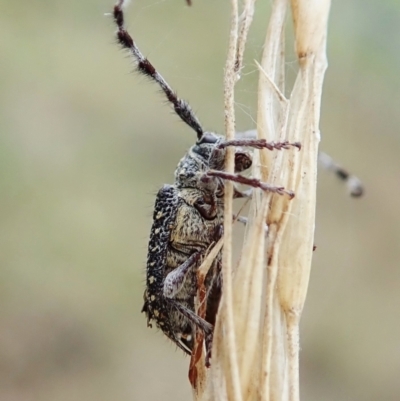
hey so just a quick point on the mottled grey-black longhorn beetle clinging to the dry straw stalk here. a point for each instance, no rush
(188, 217)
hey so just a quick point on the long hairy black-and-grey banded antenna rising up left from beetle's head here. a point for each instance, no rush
(181, 107)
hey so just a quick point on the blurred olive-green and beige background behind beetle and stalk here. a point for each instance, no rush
(85, 144)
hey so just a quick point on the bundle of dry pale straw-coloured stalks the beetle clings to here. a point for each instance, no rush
(256, 338)
